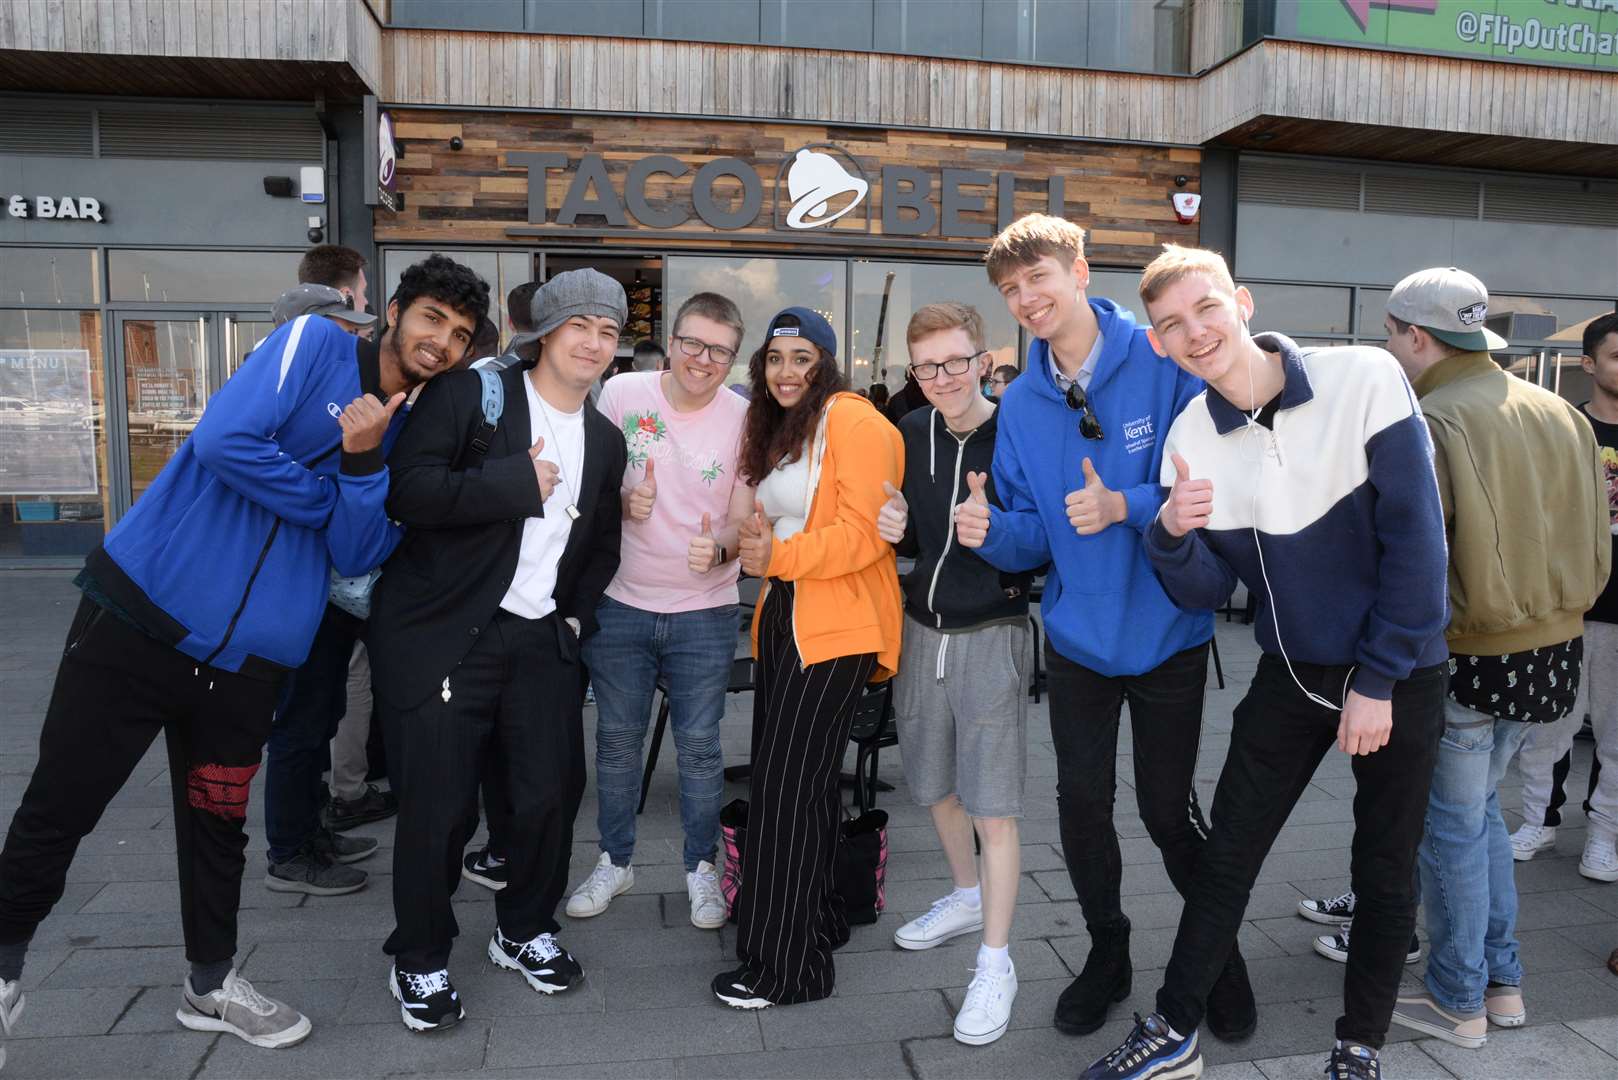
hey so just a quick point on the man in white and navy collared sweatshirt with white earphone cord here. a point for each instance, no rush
(1310, 478)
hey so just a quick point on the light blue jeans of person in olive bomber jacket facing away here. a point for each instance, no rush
(1467, 874)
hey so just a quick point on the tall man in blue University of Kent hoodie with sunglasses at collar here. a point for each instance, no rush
(1077, 462)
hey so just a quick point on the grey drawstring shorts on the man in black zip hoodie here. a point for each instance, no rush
(960, 707)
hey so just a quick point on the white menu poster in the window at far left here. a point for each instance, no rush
(48, 423)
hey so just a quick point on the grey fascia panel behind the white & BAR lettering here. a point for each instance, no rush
(159, 203)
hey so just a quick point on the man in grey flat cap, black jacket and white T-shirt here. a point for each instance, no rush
(475, 645)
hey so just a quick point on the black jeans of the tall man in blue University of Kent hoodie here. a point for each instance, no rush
(1166, 713)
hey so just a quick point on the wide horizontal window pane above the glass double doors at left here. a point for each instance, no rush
(198, 278)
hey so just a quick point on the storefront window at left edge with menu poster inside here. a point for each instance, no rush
(53, 433)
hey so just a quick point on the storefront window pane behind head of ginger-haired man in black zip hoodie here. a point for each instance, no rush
(907, 287)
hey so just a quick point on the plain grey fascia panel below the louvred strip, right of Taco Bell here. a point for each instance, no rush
(1311, 245)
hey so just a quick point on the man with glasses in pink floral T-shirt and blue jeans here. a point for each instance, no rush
(669, 616)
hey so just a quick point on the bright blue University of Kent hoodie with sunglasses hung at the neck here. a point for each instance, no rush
(1104, 606)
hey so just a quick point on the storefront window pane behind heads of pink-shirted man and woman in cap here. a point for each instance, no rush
(761, 287)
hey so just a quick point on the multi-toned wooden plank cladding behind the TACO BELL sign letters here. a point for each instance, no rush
(481, 193)
